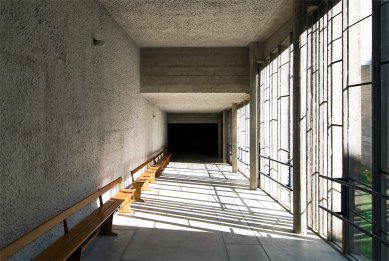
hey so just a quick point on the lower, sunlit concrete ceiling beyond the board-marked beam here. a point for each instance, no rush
(195, 102)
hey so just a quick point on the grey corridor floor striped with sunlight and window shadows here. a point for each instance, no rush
(204, 212)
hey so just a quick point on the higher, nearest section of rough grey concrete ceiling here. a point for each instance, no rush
(199, 23)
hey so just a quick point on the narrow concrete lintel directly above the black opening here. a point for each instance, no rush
(193, 118)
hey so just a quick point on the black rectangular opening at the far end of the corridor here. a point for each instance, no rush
(193, 140)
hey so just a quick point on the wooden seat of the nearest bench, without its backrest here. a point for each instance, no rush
(69, 243)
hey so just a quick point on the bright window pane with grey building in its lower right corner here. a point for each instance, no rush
(360, 40)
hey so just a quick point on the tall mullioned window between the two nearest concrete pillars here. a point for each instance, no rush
(275, 161)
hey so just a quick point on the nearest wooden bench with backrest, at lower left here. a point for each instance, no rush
(73, 242)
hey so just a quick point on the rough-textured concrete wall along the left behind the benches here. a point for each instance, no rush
(71, 115)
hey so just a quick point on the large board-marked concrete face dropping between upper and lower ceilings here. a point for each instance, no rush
(195, 70)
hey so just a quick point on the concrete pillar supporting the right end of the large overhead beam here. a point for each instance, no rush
(253, 118)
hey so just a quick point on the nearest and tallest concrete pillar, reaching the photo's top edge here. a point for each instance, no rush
(299, 178)
